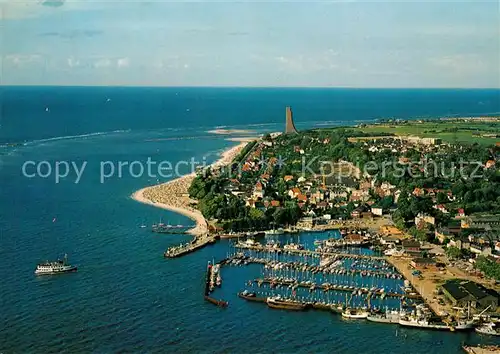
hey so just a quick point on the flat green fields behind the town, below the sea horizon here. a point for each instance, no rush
(456, 131)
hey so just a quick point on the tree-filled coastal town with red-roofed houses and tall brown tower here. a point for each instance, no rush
(431, 207)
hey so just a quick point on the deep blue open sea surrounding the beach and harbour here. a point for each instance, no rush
(62, 191)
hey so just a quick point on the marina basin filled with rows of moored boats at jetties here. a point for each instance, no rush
(293, 272)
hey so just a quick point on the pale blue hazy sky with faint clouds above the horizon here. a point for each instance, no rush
(425, 44)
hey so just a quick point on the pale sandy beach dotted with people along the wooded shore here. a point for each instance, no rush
(173, 195)
